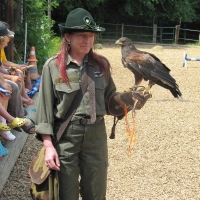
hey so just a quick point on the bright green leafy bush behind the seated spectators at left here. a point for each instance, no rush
(39, 32)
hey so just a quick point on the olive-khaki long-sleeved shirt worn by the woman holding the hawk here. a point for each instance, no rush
(55, 96)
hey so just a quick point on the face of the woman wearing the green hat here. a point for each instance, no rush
(80, 42)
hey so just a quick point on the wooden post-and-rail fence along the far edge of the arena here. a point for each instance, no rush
(154, 34)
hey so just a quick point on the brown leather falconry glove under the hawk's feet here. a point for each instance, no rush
(132, 100)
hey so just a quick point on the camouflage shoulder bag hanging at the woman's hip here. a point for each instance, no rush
(44, 182)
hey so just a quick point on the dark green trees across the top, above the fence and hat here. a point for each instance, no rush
(132, 12)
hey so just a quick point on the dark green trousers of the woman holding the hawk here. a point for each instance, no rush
(83, 157)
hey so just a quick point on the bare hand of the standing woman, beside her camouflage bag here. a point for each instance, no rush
(51, 158)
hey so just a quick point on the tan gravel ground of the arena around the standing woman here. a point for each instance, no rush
(165, 159)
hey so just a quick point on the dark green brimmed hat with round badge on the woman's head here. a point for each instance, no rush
(79, 20)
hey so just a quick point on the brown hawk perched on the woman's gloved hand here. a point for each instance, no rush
(146, 66)
